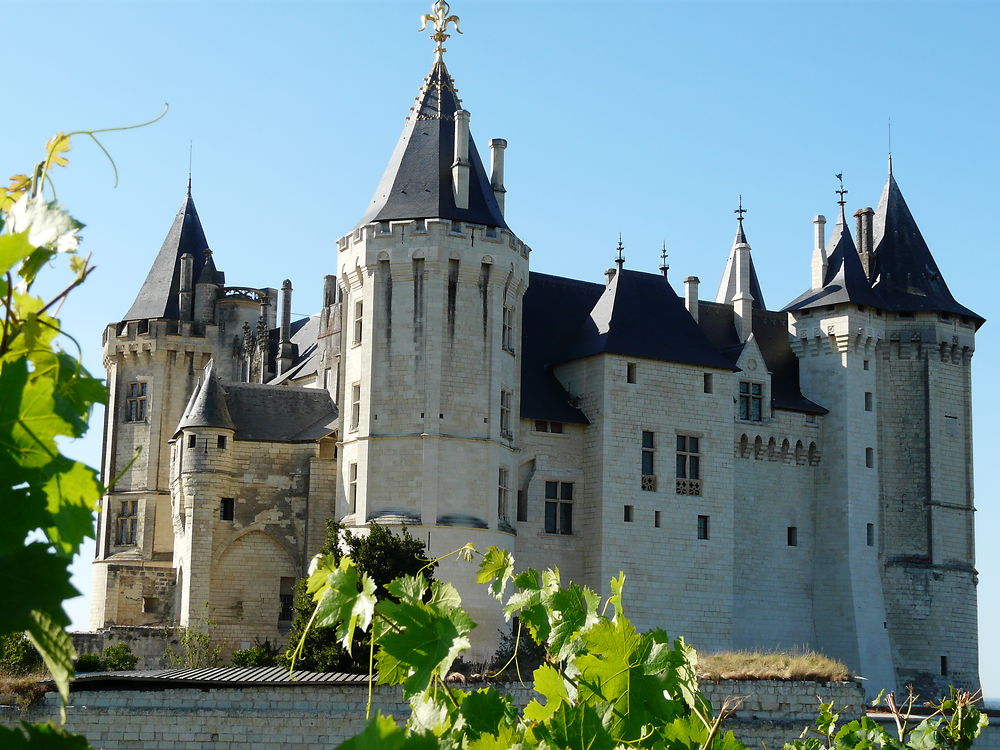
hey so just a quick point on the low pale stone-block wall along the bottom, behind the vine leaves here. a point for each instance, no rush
(317, 715)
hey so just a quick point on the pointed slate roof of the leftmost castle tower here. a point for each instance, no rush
(158, 296)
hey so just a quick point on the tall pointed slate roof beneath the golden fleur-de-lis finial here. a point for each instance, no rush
(417, 181)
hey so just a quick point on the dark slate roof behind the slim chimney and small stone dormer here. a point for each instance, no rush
(770, 331)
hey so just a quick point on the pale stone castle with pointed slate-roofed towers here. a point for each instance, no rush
(798, 477)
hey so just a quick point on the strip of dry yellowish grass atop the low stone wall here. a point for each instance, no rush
(770, 665)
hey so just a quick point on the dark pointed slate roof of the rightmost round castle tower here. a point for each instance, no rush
(905, 272)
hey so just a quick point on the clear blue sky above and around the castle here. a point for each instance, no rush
(645, 118)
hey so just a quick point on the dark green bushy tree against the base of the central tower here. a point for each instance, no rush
(383, 556)
